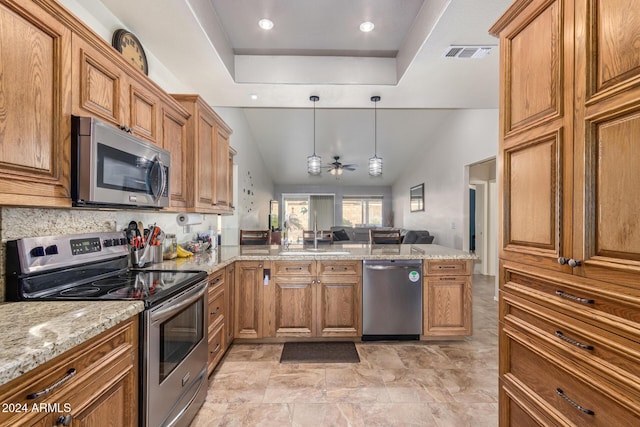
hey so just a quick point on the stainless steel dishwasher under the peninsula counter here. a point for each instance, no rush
(391, 300)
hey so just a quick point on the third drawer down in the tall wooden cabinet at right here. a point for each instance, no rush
(551, 381)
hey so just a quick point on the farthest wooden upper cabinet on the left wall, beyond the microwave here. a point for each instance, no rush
(209, 136)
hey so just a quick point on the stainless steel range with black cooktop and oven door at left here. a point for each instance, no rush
(173, 332)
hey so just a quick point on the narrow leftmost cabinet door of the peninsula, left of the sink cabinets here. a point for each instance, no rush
(249, 296)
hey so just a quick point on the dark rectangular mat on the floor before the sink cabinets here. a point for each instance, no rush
(319, 352)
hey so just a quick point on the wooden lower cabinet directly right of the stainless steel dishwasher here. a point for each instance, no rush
(447, 300)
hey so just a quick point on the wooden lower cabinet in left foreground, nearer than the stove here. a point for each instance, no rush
(102, 391)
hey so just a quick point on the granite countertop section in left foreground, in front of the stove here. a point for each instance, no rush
(35, 332)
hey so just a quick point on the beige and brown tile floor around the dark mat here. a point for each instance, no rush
(444, 384)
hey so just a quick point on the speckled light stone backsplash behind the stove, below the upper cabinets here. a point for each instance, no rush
(16, 223)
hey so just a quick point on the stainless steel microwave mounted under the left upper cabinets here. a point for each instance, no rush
(110, 167)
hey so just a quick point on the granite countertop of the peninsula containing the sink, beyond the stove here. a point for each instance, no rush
(224, 255)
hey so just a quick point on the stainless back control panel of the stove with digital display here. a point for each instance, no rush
(51, 252)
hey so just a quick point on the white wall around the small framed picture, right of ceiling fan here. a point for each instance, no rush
(466, 137)
